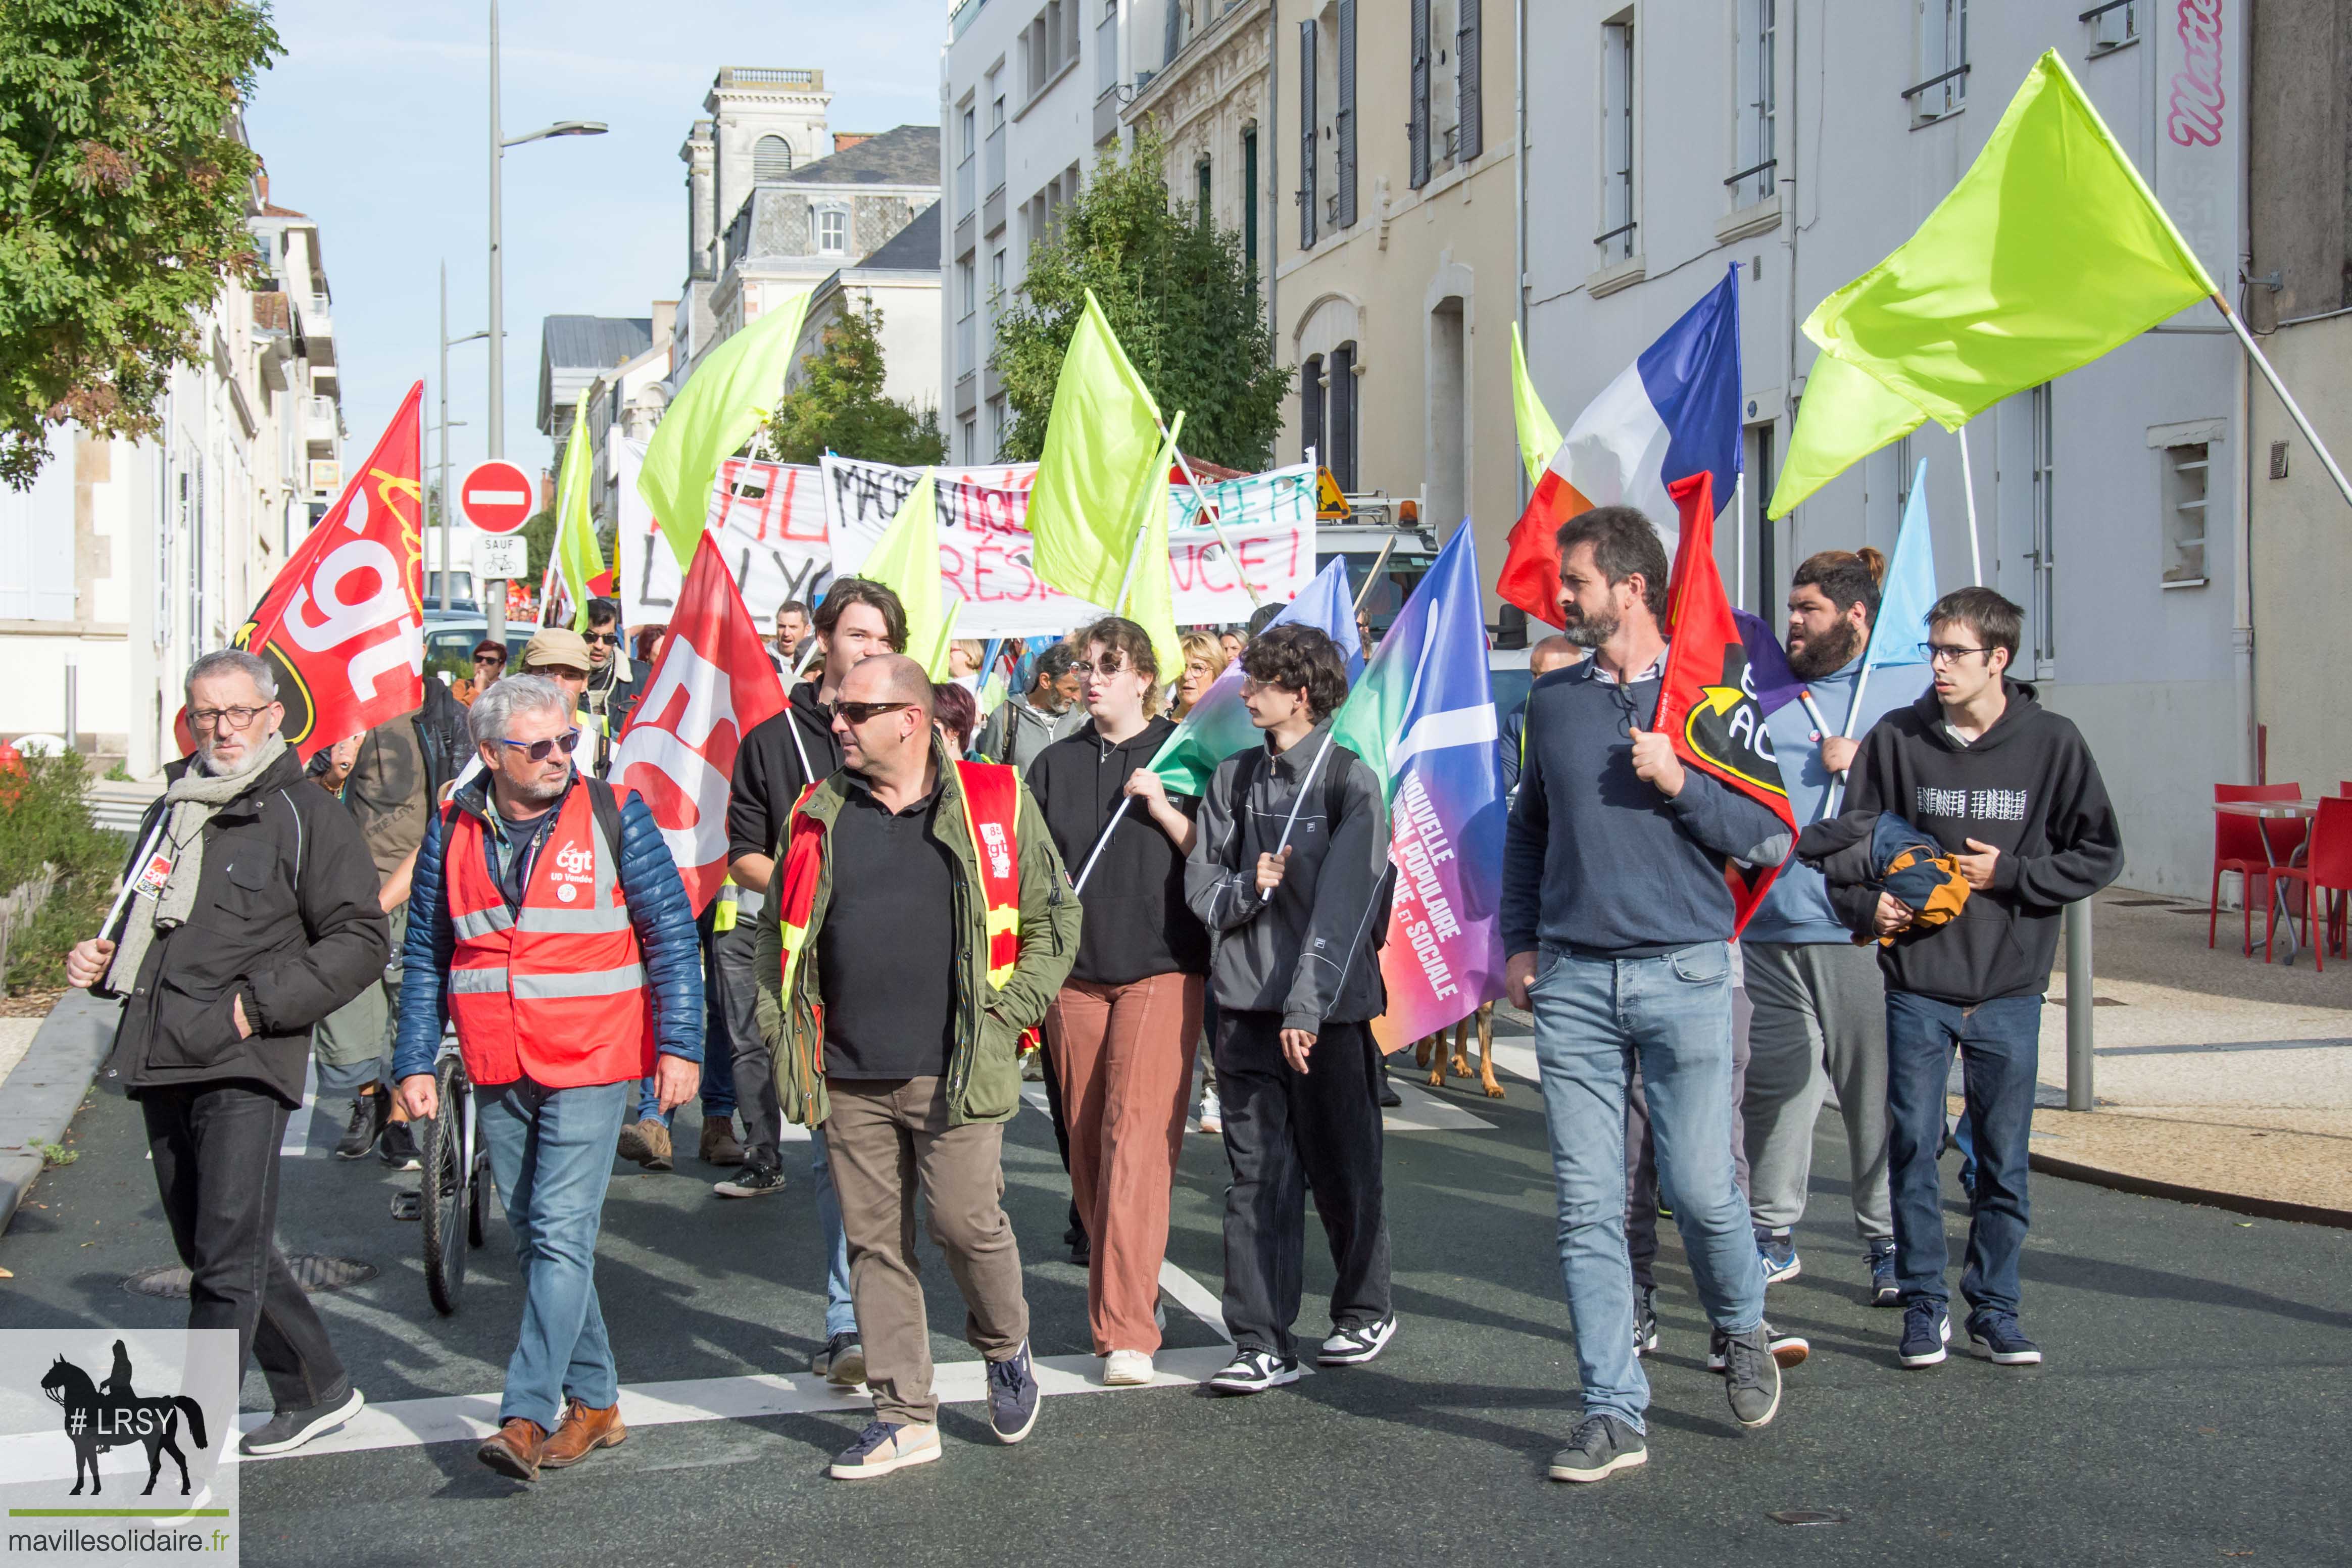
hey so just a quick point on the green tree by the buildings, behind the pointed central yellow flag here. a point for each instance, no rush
(1177, 290)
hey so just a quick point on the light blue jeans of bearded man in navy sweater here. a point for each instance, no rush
(1598, 1019)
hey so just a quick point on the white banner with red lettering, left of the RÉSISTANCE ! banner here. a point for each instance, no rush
(766, 518)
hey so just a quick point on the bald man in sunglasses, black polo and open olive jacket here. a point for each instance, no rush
(921, 925)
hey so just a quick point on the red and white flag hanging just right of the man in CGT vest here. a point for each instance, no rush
(711, 685)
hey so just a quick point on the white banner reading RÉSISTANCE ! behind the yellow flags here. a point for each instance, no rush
(984, 544)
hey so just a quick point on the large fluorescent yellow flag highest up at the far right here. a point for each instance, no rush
(2047, 255)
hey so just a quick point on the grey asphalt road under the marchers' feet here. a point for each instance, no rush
(2191, 1412)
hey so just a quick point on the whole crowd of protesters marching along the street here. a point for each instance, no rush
(937, 887)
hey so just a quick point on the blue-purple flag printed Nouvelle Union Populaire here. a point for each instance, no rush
(1424, 721)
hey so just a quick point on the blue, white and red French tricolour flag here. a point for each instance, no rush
(1671, 415)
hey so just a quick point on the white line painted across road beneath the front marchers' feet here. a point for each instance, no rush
(469, 1419)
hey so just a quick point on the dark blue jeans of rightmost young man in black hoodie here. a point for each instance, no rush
(2000, 1045)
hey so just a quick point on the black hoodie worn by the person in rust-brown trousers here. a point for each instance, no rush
(1137, 923)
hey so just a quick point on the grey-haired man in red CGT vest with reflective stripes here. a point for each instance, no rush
(547, 920)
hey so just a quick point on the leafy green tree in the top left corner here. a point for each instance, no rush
(121, 203)
